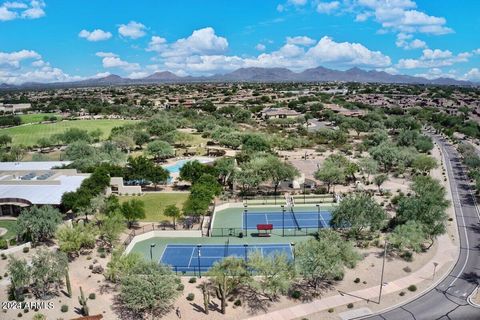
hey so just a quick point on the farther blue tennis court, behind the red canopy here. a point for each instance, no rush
(297, 219)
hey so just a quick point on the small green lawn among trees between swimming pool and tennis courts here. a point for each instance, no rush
(155, 203)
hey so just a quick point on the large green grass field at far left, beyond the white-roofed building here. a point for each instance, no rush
(28, 135)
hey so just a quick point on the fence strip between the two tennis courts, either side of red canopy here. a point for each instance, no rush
(240, 232)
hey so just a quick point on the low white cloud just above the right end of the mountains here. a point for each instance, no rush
(434, 59)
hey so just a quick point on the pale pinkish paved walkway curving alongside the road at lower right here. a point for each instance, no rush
(446, 253)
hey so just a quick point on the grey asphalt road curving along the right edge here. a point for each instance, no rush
(448, 300)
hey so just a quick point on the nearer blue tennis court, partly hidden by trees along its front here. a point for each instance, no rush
(189, 258)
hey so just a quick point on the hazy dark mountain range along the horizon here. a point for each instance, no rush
(319, 74)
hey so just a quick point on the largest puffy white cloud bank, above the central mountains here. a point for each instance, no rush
(203, 53)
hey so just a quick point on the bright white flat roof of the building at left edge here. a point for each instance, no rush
(43, 194)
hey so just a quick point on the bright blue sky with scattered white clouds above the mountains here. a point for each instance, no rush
(58, 40)
